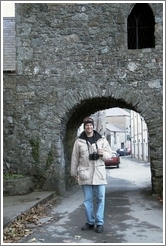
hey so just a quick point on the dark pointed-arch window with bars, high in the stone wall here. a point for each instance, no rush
(140, 27)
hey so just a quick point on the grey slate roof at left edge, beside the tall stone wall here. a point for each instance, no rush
(9, 47)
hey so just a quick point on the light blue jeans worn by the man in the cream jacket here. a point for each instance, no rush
(94, 212)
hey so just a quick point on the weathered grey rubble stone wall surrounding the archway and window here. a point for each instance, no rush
(72, 60)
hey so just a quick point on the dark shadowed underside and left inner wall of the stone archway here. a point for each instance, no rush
(85, 108)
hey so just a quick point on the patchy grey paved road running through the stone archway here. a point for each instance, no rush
(132, 214)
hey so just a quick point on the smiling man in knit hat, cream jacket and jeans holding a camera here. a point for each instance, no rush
(87, 166)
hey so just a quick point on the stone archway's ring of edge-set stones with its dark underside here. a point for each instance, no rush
(89, 106)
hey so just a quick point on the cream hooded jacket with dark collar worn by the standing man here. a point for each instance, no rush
(91, 172)
